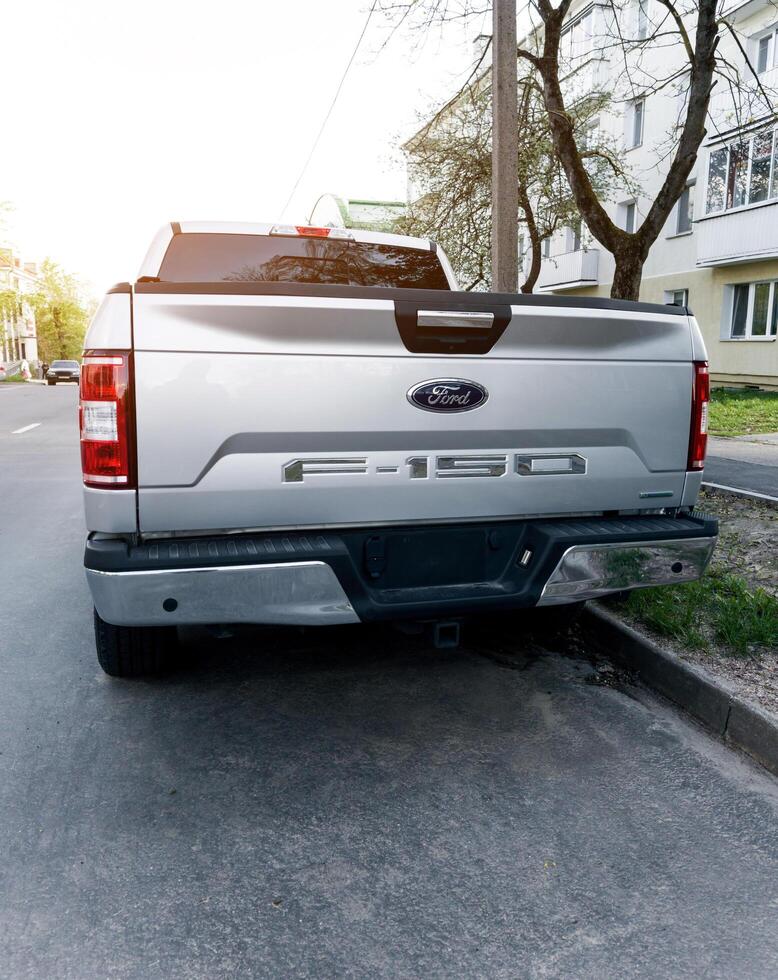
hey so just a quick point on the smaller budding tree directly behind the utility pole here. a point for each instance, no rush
(450, 168)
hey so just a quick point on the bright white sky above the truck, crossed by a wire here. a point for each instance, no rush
(119, 116)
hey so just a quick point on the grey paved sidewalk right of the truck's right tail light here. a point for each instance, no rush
(744, 462)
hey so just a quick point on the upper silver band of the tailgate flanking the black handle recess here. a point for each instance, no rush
(228, 324)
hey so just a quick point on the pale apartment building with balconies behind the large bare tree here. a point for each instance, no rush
(718, 252)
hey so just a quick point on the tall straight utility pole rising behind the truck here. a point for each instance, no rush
(505, 149)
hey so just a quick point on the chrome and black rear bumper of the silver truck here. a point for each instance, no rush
(319, 578)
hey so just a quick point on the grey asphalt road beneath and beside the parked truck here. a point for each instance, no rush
(346, 803)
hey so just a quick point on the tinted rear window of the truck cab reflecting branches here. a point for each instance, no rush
(193, 257)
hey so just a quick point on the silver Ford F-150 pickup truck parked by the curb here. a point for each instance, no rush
(285, 424)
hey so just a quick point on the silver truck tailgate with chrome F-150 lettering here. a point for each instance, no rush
(257, 409)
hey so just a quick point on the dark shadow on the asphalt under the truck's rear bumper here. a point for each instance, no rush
(360, 693)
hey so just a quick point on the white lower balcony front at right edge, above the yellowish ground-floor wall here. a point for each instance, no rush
(747, 234)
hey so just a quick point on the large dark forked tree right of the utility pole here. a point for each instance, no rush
(693, 30)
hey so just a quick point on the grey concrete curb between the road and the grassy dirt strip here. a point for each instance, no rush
(737, 722)
